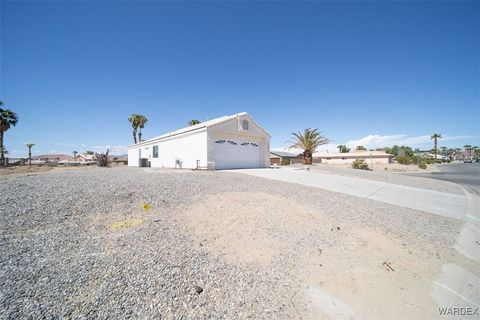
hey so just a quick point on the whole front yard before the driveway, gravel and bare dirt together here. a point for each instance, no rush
(213, 245)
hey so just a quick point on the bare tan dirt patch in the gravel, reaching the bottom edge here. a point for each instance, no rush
(341, 266)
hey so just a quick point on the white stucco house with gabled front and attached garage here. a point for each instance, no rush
(229, 142)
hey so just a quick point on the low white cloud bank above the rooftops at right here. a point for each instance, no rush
(378, 141)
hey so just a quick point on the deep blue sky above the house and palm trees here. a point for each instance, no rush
(372, 73)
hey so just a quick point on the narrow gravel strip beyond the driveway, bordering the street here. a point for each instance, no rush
(392, 177)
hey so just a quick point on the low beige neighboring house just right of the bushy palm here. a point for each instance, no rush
(349, 157)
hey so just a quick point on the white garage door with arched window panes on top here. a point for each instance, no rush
(234, 154)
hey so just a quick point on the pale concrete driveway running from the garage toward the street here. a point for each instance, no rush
(441, 203)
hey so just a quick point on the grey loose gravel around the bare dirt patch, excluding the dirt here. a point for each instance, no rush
(59, 257)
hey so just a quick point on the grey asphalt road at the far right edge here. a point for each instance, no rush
(465, 174)
